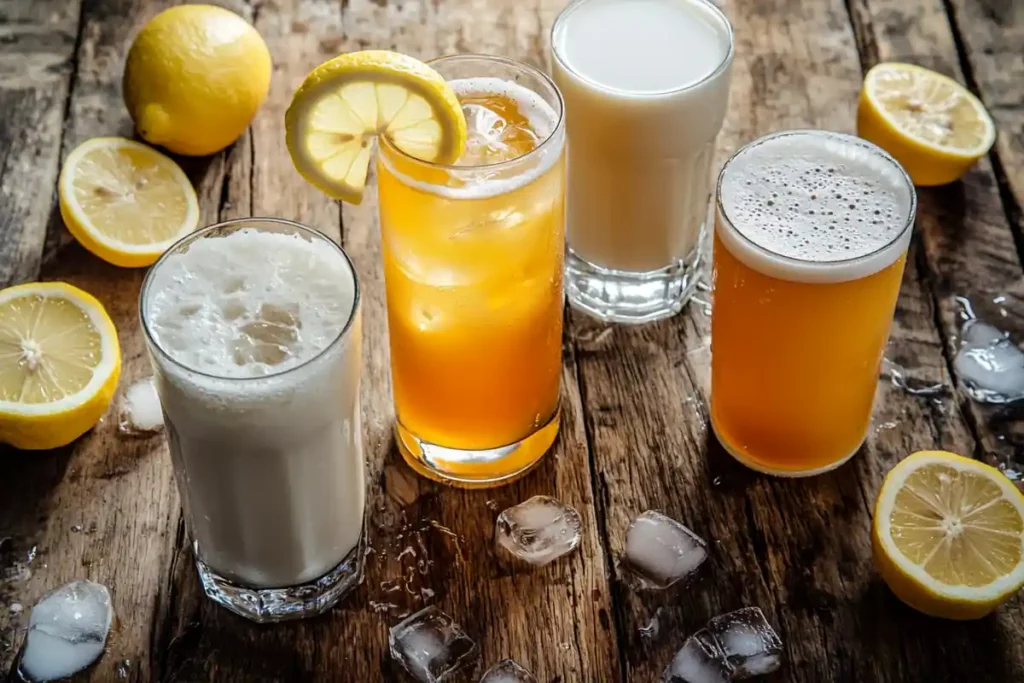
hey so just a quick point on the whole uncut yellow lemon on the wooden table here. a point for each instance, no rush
(195, 77)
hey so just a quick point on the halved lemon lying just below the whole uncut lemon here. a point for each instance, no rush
(125, 202)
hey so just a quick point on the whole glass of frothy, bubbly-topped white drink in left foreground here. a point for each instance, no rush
(254, 333)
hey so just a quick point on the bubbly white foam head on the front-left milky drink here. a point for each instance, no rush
(252, 322)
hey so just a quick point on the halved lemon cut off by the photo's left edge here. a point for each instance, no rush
(60, 364)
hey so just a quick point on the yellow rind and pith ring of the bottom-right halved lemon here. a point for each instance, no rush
(891, 488)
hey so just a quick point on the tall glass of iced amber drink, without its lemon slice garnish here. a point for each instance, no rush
(474, 272)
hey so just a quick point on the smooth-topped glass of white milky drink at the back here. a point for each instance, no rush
(646, 84)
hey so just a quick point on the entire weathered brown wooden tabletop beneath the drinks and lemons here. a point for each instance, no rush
(635, 428)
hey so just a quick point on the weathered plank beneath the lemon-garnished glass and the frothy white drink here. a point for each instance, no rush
(451, 563)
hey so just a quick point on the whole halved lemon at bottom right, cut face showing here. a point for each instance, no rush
(949, 535)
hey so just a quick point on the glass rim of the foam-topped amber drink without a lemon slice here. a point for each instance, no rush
(873, 149)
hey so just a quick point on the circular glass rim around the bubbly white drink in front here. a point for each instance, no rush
(239, 224)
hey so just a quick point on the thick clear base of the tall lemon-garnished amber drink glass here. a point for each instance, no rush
(477, 469)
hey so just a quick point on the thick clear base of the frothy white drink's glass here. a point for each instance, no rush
(267, 606)
